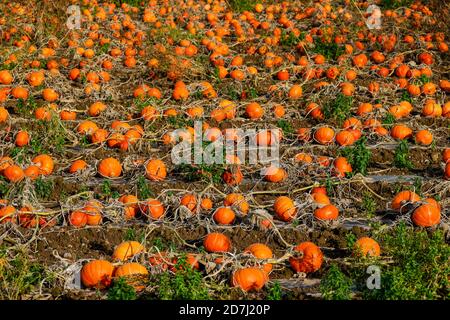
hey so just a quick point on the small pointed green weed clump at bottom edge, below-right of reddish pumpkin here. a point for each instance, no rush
(335, 285)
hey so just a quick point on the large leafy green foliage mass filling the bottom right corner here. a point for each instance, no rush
(420, 270)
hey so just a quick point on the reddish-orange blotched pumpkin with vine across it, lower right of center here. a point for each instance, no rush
(311, 260)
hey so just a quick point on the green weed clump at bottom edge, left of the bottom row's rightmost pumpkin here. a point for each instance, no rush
(186, 284)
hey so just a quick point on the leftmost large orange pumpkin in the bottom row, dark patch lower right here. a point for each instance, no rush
(97, 274)
